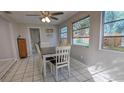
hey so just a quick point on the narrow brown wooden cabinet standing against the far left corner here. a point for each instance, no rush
(22, 47)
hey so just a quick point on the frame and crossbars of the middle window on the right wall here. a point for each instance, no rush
(80, 29)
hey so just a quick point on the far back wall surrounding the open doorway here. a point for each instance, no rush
(23, 30)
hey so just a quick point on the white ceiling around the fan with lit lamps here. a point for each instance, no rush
(20, 17)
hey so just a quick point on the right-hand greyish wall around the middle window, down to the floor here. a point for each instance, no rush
(93, 54)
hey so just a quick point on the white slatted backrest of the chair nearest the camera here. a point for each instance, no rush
(63, 54)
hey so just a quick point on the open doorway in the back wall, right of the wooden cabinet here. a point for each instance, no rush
(35, 38)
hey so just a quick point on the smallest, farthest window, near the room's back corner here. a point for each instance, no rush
(63, 34)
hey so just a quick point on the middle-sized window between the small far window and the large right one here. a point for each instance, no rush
(81, 32)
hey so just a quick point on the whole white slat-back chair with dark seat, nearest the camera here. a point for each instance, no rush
(62, 59)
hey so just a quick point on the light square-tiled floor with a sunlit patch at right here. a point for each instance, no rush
(25, 70)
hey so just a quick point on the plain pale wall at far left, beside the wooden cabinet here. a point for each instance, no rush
(7, 40)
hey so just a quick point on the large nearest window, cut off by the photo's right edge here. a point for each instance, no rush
(113, 30)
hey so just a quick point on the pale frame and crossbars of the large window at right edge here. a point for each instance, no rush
(102, 33)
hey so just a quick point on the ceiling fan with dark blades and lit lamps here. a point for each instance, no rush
(46, 16)
